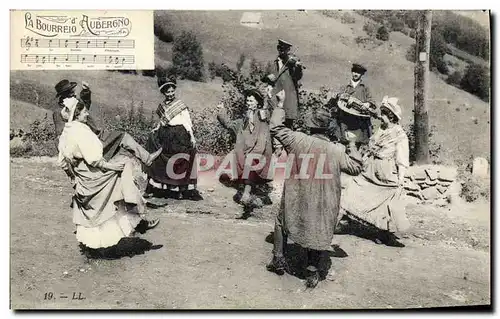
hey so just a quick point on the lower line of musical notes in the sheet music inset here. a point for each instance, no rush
(78, 58)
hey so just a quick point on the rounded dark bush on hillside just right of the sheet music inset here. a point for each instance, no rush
(188, 57)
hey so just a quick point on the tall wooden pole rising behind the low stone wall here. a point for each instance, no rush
(421, 116)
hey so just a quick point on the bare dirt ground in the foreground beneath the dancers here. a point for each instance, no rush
(214, 261)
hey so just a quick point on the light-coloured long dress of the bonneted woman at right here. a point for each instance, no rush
(374, 197)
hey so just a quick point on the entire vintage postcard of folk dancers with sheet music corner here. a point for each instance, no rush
(280, 159)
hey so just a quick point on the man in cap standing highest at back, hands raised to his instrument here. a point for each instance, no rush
(288, 73)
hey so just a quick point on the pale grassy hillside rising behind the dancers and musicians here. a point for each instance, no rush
(326, 46)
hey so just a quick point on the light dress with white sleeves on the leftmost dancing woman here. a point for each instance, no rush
(98, 204)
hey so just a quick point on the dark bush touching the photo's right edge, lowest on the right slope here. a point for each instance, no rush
(476, 80)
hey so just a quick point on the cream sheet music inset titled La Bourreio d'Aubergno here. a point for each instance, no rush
(97, 40)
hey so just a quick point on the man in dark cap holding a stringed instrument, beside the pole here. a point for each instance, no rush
(349, 119)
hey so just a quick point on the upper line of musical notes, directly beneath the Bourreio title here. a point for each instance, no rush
(30, 42)
